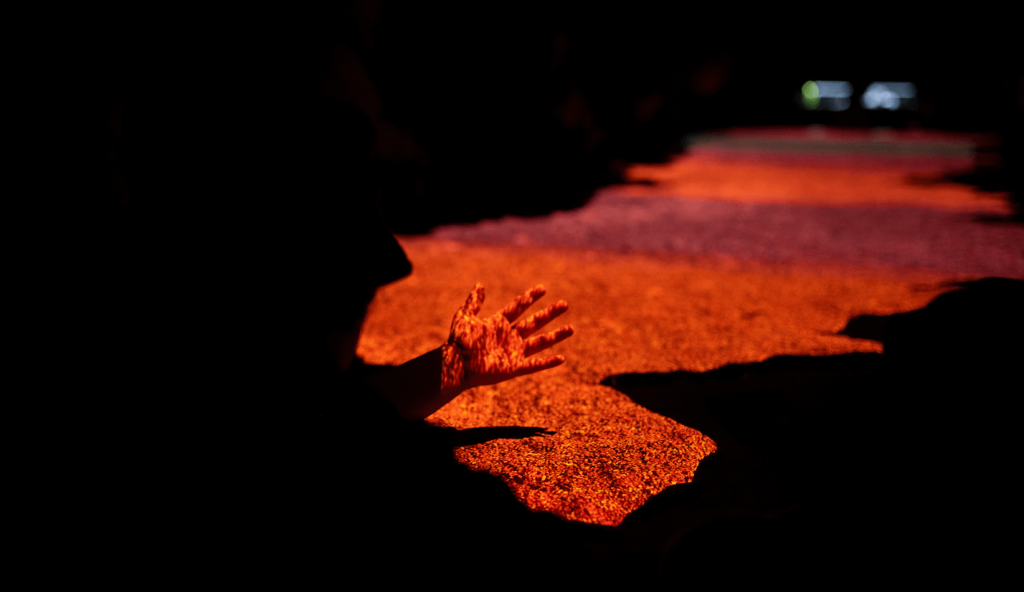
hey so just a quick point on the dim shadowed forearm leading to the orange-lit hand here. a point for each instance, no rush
(419, 388)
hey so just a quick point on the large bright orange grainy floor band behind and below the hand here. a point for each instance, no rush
(633, 314)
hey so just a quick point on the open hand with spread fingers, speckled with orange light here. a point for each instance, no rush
(490, 351)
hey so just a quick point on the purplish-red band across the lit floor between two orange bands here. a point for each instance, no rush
(900, 237)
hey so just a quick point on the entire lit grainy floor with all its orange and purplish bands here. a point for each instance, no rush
(756, 245)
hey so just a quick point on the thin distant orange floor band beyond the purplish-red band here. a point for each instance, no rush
(702, 178)
